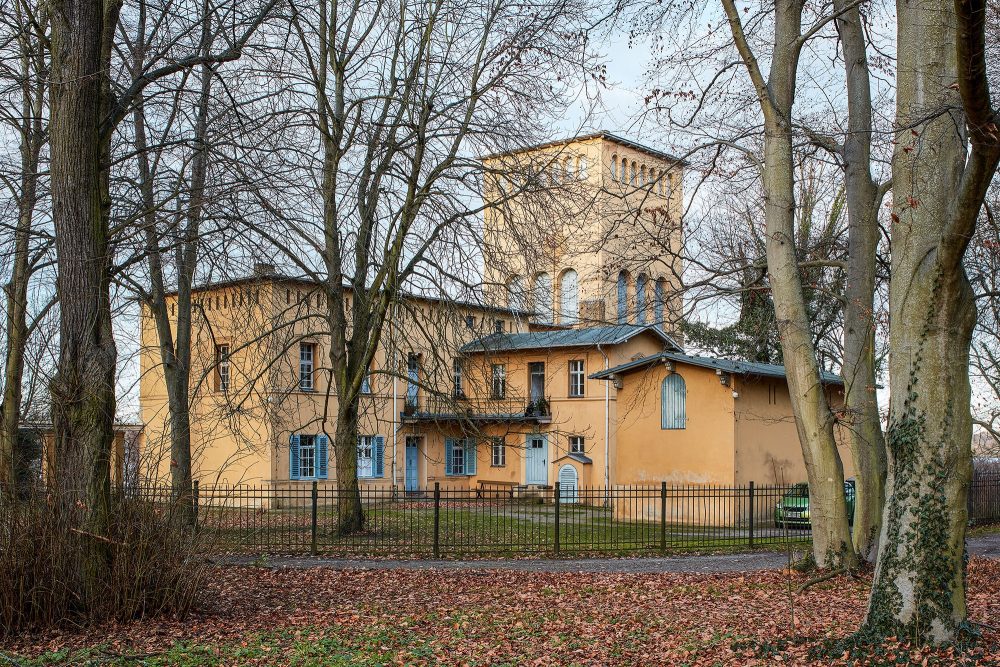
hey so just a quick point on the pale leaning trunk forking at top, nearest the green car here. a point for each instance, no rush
(814, 420)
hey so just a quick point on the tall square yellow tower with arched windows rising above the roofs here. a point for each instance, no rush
(585, 231)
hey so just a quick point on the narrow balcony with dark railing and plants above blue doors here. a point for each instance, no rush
(438, 408)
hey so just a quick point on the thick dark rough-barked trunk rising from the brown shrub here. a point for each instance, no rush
(83, 390)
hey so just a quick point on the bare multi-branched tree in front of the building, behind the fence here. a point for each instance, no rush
(405, 98)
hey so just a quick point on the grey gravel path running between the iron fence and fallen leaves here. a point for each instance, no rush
(987, 546)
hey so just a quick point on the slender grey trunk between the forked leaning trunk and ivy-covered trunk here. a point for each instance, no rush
(864, 429)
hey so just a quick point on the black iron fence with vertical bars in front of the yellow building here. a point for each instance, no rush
(509, 521)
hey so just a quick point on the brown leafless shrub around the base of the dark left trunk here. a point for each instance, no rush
(152, 569)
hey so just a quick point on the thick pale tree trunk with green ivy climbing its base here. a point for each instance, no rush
(938, 190)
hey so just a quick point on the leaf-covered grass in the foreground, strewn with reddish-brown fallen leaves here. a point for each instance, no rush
(259, 616)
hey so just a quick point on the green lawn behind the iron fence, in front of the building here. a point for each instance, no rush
(494, 528)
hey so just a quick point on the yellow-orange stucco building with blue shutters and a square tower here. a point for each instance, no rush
(567, 368)
